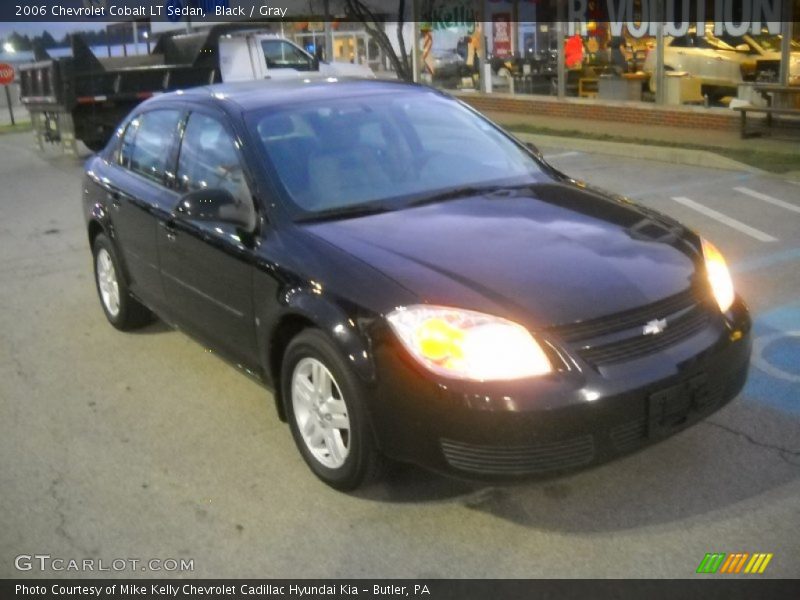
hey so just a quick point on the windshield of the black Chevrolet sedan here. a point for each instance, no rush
(387, 149)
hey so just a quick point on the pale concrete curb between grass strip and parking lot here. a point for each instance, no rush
(679, 156)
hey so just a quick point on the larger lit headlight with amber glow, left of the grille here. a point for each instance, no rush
(468, 345)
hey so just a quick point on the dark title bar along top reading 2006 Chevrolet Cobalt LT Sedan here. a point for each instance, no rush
(209, 11)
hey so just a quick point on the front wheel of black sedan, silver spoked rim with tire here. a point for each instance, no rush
(324, 403)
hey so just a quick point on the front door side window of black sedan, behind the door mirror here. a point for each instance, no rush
(209, 159)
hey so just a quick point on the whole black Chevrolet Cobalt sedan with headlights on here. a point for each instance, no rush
(411, 281)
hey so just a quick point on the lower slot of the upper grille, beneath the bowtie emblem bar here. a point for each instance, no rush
(640, 345)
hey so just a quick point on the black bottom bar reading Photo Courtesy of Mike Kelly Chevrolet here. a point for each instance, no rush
(731, 588)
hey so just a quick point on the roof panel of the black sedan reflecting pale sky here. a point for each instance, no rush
(253, 95)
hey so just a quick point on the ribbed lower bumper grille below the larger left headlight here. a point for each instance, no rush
(520, 460)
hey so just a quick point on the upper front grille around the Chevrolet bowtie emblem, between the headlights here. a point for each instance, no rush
(620, 336)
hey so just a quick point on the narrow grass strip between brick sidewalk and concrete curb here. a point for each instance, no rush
(775, 162)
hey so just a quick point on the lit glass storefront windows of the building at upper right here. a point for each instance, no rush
(520, 44)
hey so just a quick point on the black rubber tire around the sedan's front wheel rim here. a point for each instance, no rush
(363, 463)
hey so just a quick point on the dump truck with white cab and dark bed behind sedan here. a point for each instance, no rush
(83, 96)
